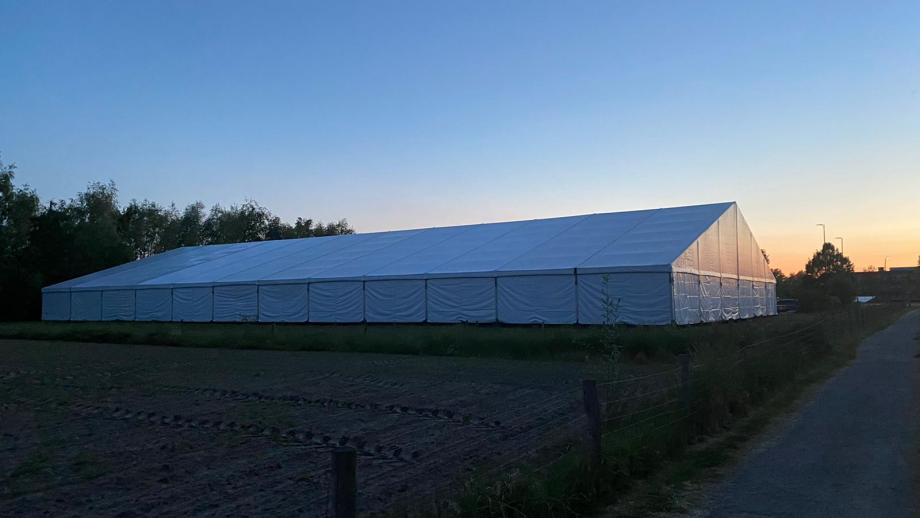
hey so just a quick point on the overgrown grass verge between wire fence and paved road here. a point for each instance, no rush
(736, 390)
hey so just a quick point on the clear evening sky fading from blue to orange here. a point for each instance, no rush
(399, 114)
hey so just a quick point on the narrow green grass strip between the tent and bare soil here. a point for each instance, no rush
(519, 342)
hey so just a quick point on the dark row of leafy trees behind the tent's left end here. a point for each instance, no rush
(46, 243)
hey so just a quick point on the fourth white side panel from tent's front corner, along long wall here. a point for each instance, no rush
(394, 301)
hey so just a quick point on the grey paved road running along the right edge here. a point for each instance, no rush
(853, 450)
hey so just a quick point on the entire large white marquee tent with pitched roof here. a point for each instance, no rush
(651, 267)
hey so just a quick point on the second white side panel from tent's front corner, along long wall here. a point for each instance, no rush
(536, 299)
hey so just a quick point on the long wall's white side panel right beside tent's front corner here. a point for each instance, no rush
(629, 298)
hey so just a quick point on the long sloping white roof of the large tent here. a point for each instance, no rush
(644, 240)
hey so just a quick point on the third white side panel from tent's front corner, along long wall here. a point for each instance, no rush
(461, 300)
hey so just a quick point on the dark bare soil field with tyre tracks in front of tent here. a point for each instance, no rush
(119, 430)
